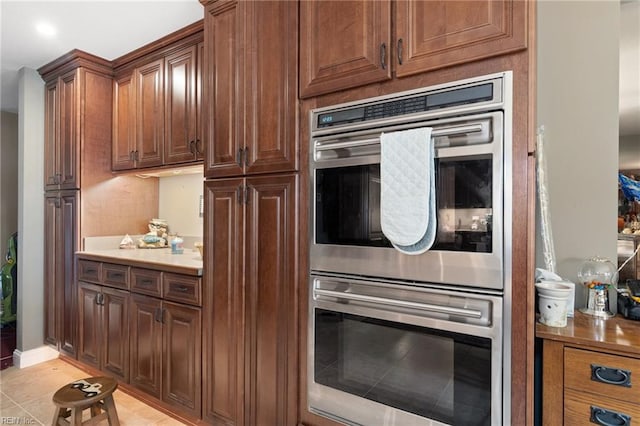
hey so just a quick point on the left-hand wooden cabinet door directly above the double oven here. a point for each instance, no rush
(343, 44)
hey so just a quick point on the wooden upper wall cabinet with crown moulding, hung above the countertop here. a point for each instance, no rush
(156, 103)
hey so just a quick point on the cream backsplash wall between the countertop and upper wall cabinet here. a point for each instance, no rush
(179, 201)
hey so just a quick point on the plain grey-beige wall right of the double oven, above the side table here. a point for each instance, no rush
(577, 102)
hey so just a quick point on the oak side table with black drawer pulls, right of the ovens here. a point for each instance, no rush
(590, 371)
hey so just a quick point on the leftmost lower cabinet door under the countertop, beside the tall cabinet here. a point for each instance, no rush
(89, 324)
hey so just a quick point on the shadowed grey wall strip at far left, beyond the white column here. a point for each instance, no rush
(8, 178)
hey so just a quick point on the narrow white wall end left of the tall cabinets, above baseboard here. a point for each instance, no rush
(30, 210)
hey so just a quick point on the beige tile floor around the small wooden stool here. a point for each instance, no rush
(25, 397)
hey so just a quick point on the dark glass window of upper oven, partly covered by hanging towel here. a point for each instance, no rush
(348, 205)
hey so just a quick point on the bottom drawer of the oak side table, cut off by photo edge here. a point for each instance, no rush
(579, 406)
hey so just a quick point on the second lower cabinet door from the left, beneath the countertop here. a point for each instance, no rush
(115, 333)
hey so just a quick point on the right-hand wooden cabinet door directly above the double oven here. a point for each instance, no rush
(435, 34)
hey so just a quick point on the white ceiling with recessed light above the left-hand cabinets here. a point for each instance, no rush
(108, 29)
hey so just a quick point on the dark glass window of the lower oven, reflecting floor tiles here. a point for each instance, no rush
(435, 374)
